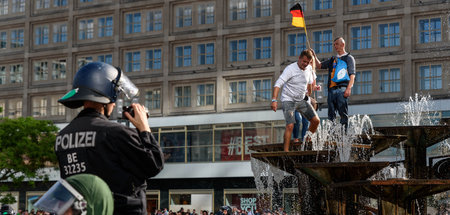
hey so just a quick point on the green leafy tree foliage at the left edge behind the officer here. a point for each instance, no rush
(26, 145)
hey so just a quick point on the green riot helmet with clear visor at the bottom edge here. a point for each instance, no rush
(81, 194)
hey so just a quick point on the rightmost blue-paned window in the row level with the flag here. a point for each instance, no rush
(430, 30)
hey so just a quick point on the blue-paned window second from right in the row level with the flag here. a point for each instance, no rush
(389, 35)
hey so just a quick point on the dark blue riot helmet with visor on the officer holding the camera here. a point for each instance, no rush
(98, 82)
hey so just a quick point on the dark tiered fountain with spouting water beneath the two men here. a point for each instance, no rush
(334, 170)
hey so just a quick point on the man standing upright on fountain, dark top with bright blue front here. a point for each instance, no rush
(341, 77)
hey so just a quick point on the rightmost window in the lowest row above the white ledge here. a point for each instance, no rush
(431, 77)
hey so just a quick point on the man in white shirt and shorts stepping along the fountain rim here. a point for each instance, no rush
(296, 78)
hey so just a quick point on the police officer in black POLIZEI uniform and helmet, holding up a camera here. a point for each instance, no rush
(123, 157)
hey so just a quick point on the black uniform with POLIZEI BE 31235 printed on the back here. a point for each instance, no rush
(122, 156)
